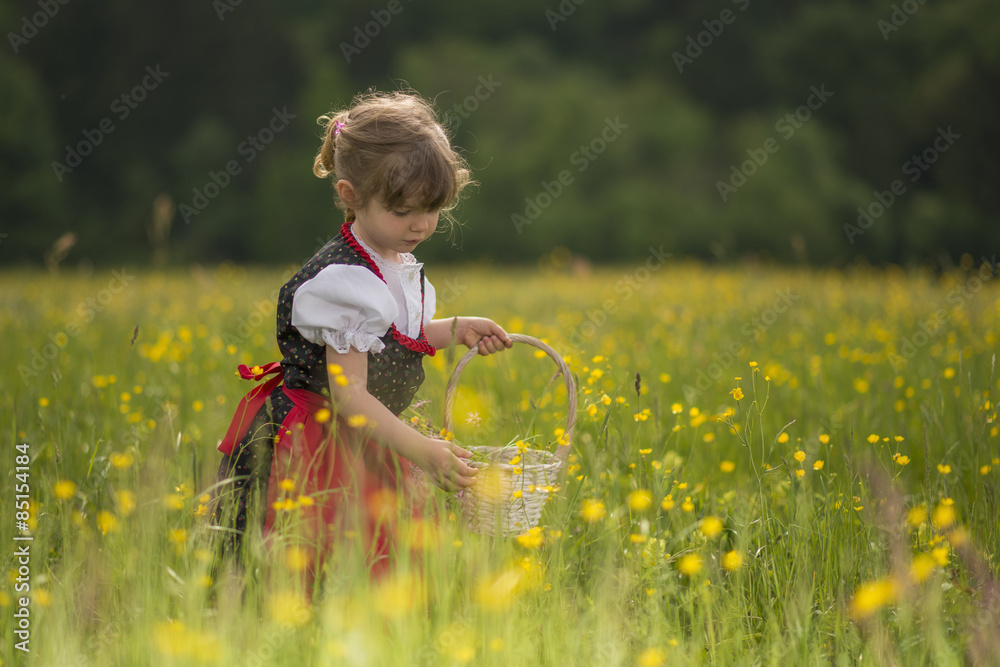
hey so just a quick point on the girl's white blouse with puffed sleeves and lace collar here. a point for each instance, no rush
(346, 306)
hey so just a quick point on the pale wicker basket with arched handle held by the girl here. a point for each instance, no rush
(492, 506)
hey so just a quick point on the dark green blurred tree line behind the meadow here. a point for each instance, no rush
(185, 131)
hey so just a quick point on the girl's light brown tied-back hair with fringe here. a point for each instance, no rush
(391, 148)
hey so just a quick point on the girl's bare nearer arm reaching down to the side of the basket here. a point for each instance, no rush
(441, 460)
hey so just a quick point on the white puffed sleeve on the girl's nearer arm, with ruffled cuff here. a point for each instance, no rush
(344, 306)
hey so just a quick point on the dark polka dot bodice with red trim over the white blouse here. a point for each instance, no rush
(394, 374)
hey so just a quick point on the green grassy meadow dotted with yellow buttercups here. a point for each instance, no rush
(770, 466)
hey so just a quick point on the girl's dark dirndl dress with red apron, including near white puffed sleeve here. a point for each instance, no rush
(287, 447)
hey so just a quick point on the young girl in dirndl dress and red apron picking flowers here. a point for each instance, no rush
(353, 326)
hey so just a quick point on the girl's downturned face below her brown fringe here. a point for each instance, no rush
(390, 232)
